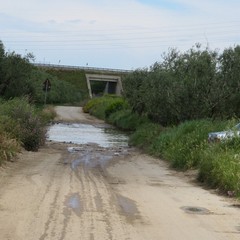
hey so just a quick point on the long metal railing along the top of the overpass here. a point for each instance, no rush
(90, 69)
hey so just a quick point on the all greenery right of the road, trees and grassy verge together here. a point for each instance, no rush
(173, 105)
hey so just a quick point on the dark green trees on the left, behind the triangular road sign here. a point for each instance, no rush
(18, 77)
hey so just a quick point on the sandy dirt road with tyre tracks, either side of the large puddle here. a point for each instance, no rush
(66, 192)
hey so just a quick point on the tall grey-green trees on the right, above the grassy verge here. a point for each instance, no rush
(195, 84)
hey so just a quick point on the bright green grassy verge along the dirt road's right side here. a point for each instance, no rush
(185, 146)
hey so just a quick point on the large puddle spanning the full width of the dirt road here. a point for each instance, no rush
(84, 133)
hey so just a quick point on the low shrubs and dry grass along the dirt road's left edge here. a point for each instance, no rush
(22, 125)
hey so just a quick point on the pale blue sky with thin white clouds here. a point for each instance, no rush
(118, 34)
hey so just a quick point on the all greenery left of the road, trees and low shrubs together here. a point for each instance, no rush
(23, 117)
